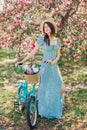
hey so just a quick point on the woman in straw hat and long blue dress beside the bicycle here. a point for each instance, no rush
(51, 86)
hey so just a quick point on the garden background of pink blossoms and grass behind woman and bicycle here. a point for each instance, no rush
(19, 26)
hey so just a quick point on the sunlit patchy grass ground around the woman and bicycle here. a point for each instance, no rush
(75, 107)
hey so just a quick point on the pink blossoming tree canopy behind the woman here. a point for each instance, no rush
(21, 19)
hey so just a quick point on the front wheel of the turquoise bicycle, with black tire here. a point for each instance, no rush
(32, 112)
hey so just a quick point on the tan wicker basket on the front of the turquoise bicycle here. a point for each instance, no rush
(31, 78)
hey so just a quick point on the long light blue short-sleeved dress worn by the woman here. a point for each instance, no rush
(50, 82)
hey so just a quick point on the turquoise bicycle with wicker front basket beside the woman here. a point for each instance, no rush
(28, 98)
